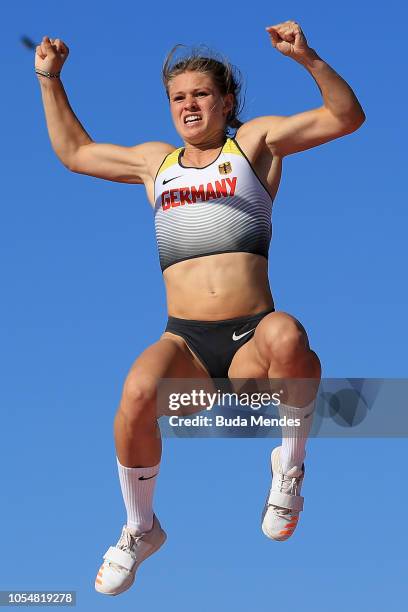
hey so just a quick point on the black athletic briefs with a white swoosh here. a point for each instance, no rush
(216, 342)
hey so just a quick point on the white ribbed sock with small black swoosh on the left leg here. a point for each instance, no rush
(137, 486)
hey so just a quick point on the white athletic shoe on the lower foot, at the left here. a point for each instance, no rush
(117, 573)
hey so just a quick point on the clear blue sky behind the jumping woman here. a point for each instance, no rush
(82, 296)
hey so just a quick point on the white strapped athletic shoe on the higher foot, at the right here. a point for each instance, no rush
(284, 502)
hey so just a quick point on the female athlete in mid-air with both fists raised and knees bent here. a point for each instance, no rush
(212, 201)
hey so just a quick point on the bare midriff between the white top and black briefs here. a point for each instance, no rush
(218, 287)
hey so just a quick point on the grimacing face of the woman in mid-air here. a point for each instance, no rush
(197, 107)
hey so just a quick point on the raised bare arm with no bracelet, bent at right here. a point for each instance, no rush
(339, 115)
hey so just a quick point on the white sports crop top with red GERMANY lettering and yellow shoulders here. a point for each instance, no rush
(221, 208)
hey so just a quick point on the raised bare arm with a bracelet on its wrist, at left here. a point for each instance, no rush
(72, 144)
